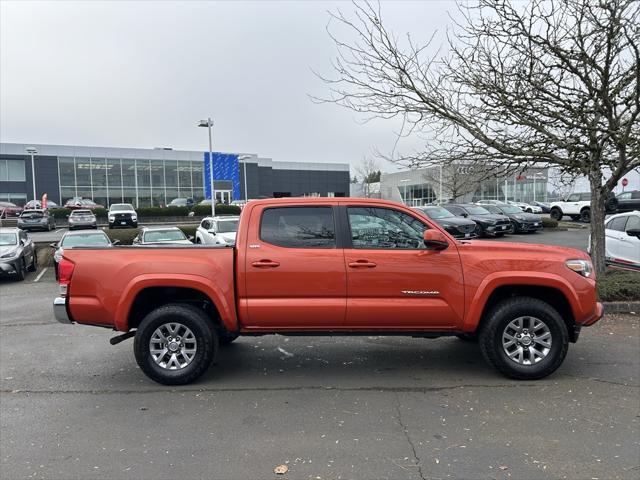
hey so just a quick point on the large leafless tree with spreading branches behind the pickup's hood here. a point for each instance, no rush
(551, 83)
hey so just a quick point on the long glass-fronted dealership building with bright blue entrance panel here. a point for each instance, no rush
(154, 177)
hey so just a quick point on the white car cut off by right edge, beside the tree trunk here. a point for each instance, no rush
(622, 240)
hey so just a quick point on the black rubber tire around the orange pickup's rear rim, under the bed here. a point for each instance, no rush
(206, 343)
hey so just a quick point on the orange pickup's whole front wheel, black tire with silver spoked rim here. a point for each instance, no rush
(524, 338)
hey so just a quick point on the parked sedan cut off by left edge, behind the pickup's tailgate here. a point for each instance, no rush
(17, 253)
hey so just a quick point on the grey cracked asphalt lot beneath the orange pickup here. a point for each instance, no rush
(72, 406)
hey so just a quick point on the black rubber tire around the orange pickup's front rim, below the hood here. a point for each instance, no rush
(497, 320)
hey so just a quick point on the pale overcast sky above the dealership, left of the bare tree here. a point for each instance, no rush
(140, 74)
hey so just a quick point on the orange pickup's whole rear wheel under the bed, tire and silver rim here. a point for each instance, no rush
(175, 344)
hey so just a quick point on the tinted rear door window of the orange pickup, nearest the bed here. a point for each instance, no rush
(299, 227)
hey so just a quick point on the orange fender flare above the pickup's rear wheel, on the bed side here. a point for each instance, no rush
(195, 282)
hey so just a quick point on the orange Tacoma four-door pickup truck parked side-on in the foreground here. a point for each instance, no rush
(332, 266)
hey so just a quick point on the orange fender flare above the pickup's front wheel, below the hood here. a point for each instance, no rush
(518, 278)
